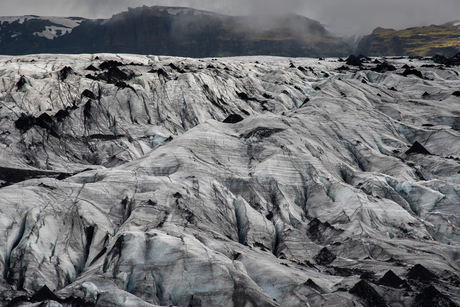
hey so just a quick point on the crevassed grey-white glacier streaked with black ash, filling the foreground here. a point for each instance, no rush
(131, 180)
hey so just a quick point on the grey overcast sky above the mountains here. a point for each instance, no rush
(339, 16)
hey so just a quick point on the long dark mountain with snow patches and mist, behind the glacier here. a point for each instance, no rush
(171, 31)
